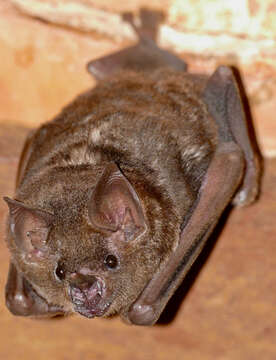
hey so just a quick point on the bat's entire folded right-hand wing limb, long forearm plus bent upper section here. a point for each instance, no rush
(233, 155)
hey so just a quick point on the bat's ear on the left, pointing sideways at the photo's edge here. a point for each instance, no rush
(29, 227)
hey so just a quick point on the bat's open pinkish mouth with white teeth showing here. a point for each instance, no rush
(88, 298)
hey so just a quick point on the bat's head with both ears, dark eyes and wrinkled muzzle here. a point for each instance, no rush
(94, 252)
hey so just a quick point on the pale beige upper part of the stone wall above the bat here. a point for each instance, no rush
(43, 63)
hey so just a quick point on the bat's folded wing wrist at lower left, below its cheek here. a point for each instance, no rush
(22, 300)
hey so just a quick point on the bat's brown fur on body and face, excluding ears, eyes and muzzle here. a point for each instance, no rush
(157, 130)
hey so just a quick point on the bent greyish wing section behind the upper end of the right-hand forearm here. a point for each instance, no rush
(224, 101)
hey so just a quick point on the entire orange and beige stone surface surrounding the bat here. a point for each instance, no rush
(226, 306)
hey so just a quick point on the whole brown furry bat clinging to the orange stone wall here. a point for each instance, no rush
(116, 197)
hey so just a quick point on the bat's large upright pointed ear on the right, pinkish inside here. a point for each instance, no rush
(115, 207)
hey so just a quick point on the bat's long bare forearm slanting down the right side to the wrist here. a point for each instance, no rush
(219, 185)
